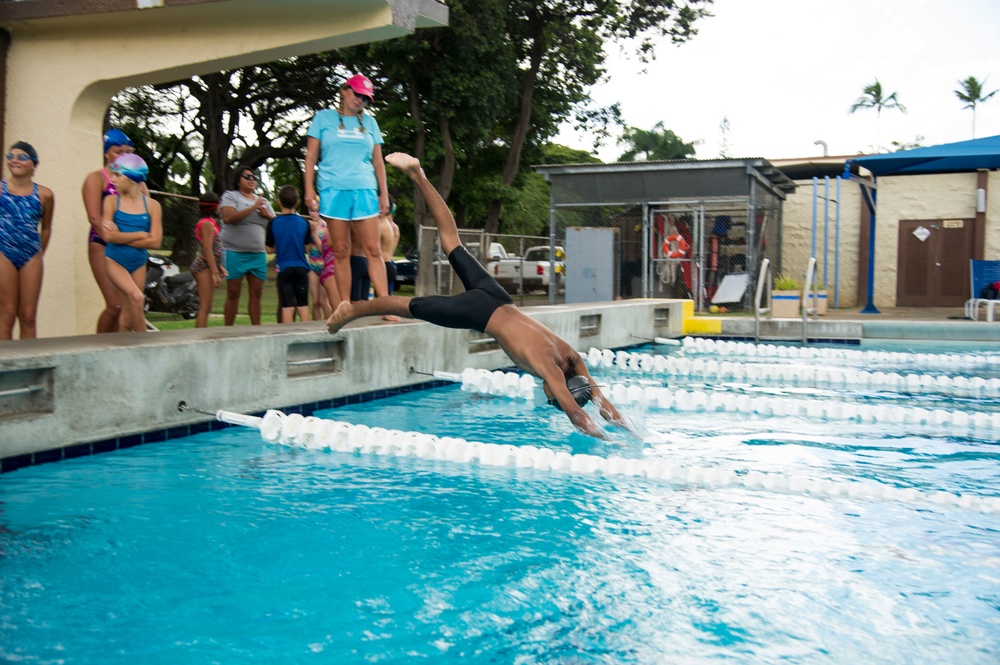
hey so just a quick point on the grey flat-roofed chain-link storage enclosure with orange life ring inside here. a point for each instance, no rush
(683, 229)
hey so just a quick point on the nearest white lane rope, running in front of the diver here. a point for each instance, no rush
(319, 434)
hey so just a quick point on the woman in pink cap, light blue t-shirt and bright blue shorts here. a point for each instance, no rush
(344, 145)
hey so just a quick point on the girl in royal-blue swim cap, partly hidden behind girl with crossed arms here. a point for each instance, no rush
(96, 188)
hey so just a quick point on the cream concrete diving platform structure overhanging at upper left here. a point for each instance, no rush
(62, 73)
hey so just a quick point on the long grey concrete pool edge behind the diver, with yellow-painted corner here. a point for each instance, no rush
(71, 396)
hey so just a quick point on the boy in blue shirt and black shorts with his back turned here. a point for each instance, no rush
(288, 238)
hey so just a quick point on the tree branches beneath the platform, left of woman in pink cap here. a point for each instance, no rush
(199, 129)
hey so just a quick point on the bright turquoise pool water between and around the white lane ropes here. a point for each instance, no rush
(221, 548)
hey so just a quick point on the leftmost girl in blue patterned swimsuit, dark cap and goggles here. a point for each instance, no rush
(25, 224)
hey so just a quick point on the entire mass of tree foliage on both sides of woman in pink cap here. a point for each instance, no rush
(476, 102)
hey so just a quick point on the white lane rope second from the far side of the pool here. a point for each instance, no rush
(809, 375)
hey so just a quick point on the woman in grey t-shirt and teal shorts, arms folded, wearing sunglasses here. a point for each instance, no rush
(244, 224)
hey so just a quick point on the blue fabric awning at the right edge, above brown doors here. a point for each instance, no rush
(960, 157)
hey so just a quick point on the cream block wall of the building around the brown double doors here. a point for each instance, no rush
(941, 196)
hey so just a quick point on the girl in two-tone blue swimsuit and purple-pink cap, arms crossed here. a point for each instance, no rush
(132, 225)
